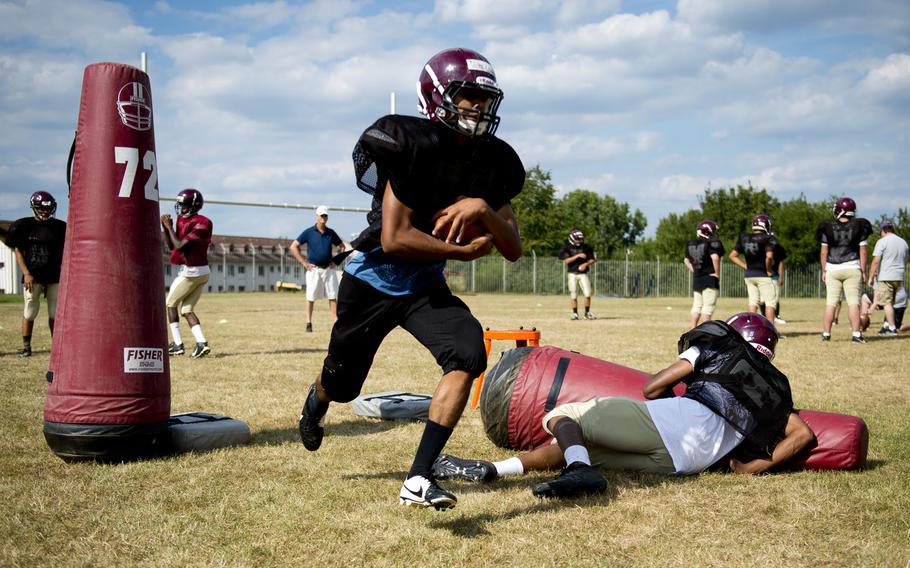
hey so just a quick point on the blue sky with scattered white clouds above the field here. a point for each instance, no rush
(647, 101)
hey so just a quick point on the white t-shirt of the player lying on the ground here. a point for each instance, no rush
(695, 437)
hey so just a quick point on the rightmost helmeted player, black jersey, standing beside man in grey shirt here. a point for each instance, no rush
(843, 258)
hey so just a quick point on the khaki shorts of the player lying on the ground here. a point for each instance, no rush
(618, 433)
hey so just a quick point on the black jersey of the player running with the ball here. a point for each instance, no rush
(429, 167)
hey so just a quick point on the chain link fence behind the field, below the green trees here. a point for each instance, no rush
(619, 278)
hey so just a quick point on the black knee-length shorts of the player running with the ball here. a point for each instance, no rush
(440, 321)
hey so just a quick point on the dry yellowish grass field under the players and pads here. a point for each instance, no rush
(272, 503)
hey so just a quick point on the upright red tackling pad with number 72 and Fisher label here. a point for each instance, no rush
(108, 395)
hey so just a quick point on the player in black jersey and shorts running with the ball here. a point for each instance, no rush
(423, 175)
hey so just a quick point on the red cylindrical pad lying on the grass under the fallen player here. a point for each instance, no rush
(529, 381)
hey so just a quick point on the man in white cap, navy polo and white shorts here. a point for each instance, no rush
(321, 273)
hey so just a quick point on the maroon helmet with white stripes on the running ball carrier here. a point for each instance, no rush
(460, 73)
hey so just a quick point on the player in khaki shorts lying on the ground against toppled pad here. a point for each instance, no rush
(737, 407)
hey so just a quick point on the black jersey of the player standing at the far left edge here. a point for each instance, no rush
(41, 245)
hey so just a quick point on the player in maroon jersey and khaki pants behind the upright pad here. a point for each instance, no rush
(189, 245)
